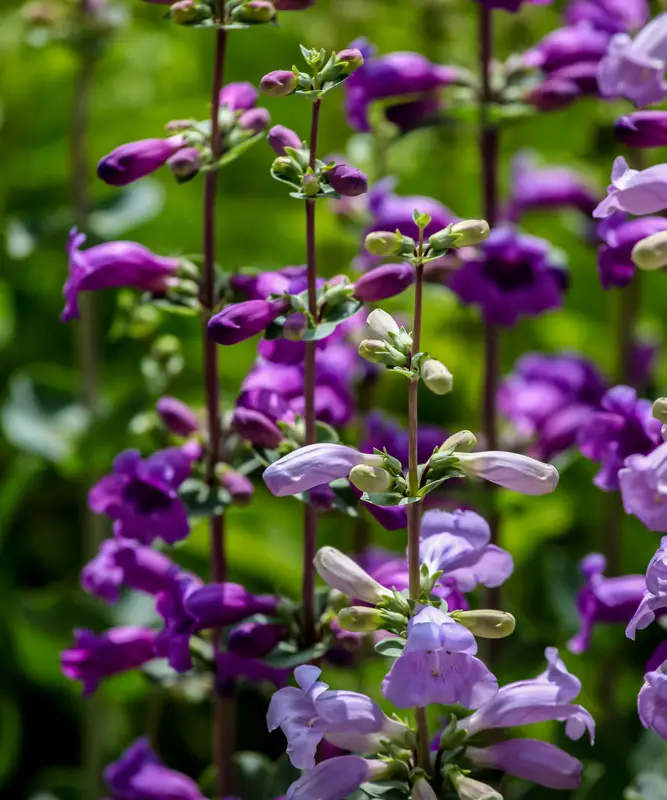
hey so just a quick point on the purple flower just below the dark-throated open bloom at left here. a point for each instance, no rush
(124, 562)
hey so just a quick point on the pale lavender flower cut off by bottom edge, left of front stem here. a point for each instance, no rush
(336, 778)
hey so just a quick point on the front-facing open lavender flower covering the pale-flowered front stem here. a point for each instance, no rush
(438, 666)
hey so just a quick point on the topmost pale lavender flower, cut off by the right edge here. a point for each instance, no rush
(635, 68)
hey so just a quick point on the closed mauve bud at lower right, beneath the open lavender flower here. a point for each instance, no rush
(531, 759)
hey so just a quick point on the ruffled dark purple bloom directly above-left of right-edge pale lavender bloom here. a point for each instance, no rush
(548, 398)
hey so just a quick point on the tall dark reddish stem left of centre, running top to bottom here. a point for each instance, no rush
(224, 716)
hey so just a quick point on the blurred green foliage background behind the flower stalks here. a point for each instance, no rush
(152, 72)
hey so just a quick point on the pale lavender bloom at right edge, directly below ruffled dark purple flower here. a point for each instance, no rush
(643, 484)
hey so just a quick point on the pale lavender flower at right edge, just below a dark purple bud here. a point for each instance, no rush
(635, 191)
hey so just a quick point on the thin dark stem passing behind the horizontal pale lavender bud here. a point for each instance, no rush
(310, 514)
